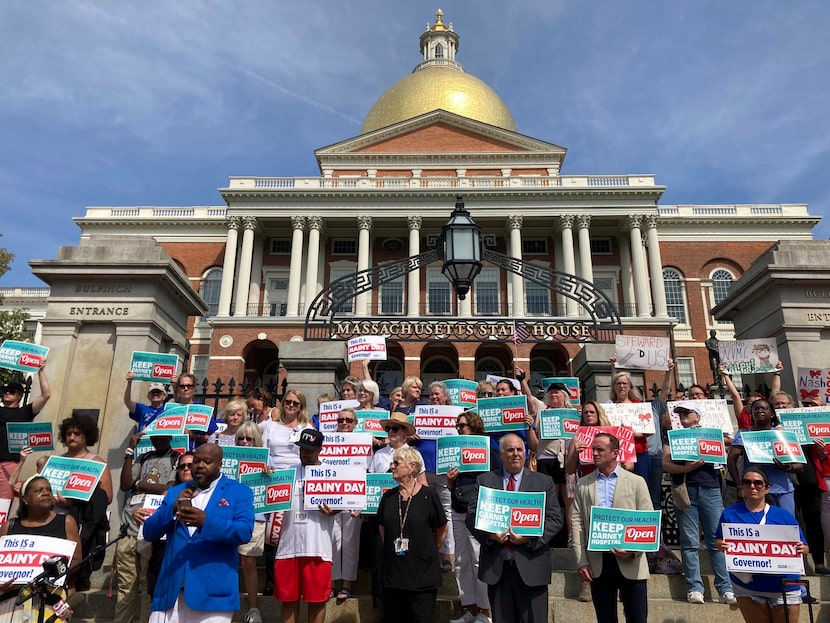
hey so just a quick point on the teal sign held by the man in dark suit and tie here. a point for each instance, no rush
(523, 512)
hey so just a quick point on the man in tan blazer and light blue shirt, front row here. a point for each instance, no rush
(617, 571)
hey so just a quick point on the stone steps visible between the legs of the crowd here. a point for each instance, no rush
(667, 600)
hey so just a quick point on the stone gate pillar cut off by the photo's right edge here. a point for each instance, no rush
(785, 294)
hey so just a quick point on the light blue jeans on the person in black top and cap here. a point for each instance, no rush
(704, 513)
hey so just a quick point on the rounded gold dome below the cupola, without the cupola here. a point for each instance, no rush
(433, 88)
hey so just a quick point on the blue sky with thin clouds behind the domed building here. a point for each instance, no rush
(158, 103)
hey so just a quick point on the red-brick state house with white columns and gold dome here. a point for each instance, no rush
(260, 259)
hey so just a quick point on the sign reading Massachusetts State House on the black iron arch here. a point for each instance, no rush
(474, 330)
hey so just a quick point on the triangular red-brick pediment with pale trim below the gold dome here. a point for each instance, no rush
(440, 135)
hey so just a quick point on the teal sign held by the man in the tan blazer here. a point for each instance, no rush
(621, 528)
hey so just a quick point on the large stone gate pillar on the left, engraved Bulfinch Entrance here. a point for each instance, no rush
(110, 296)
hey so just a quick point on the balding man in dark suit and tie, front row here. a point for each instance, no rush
(516, 569)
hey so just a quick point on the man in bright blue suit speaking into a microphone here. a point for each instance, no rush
(205, 521)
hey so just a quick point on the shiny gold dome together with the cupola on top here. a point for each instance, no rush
(438, 82)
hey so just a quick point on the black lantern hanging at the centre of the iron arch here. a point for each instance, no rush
(461, 237)
